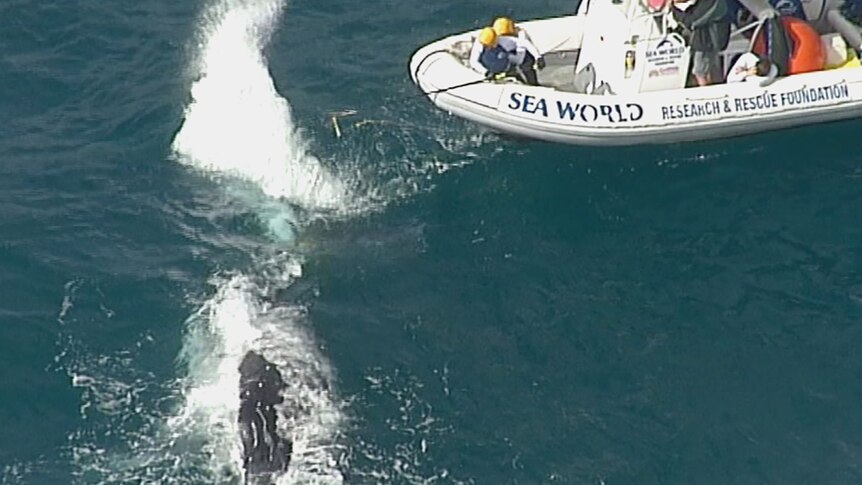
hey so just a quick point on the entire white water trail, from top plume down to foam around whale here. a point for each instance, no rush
(238, 125)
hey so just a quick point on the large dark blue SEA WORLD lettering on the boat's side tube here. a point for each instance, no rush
(579, 112)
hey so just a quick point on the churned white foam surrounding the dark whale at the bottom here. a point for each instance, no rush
(238, 318)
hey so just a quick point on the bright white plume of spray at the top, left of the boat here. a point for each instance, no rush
(238, 124)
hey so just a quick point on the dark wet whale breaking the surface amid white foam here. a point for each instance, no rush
(265, 453)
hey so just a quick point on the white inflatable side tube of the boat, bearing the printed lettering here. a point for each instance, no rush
(678, 115)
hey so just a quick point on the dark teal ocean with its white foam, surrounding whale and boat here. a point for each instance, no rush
(448, 305)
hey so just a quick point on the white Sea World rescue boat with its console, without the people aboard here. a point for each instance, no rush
(648, 100)
